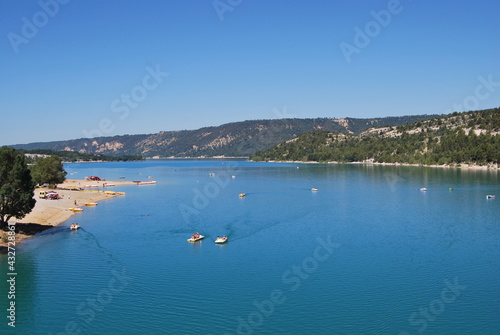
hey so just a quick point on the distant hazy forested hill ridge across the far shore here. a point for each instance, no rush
(239, 139)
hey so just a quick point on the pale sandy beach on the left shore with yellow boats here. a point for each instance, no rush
(54, 212)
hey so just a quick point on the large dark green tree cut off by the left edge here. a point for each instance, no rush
(16, 186)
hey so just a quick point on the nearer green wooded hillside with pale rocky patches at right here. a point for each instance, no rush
(468, 137)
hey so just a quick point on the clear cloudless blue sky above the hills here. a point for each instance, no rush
(71, 77)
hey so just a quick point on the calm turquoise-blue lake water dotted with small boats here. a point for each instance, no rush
(368, 253)
